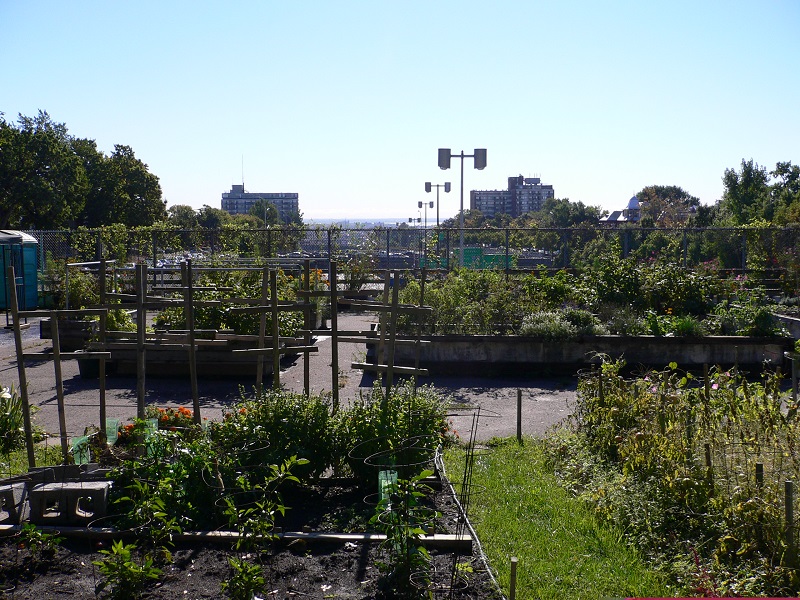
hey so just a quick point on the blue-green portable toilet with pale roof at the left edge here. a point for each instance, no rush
(20, 250)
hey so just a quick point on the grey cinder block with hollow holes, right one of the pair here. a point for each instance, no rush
(69, 503)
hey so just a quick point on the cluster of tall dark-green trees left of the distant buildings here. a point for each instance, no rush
(50, 179)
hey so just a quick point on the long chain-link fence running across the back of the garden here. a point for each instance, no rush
(769, 252)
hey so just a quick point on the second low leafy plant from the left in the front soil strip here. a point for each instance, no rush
(125, 577)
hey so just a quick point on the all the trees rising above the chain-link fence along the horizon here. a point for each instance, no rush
(50, 179)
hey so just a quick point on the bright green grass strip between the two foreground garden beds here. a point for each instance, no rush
(563, 551)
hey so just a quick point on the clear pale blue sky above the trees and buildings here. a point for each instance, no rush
(347, 102)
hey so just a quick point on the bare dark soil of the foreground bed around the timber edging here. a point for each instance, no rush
(294, 570)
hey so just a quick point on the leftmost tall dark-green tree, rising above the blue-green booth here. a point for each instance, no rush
(43, 184)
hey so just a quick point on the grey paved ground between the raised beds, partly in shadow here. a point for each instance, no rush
(545, 402)
